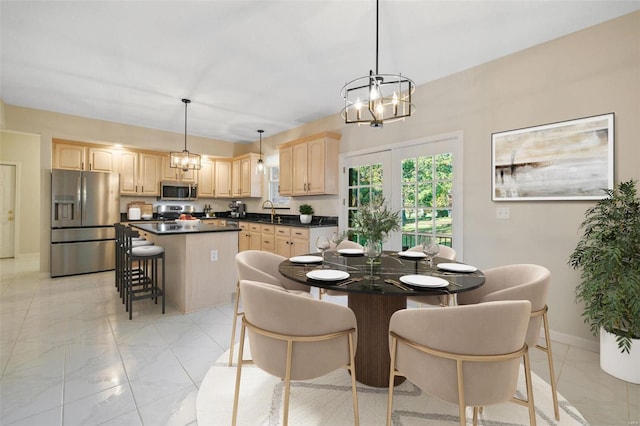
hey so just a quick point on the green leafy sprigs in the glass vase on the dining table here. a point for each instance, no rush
(374, 221)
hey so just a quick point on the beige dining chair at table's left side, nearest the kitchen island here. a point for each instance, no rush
(262, 266)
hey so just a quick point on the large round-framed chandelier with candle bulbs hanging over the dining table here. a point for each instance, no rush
(377, 98)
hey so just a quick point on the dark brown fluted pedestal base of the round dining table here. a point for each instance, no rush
(373, 313)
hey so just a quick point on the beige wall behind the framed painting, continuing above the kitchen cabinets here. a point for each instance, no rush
(590, 72)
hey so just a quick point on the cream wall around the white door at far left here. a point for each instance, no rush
(23, 151)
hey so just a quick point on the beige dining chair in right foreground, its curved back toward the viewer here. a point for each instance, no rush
(469, 355)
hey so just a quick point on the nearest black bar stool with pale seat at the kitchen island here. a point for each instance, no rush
(142, 282)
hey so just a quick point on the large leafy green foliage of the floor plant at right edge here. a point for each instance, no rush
(608, 255)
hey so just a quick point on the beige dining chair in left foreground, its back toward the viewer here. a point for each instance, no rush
(295, 338)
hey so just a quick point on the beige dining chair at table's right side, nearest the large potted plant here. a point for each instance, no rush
(521, 282)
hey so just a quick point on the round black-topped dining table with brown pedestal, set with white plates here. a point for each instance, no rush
(376, 290)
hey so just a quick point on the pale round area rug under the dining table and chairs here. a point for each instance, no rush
(327, 401)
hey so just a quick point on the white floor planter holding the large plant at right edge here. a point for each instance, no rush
(624, 366)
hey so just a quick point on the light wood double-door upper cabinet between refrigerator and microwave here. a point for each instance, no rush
(139, 173)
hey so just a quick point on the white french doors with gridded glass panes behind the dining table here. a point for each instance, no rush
(422, 179)
